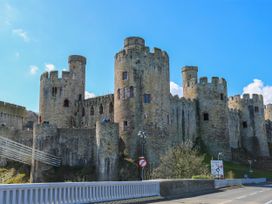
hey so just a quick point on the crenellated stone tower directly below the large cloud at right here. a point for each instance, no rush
(252, 123)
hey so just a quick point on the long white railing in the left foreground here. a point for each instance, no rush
(78, 192)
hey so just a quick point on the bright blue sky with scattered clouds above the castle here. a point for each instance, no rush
(227, 38)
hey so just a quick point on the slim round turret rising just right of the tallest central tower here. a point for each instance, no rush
(189, 81)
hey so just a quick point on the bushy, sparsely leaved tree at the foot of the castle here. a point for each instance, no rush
(183, 161)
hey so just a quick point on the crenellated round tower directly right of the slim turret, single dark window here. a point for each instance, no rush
(213, 115)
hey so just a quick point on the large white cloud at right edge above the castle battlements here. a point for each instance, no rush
(258, 87)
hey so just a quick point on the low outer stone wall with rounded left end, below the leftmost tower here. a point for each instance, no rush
(75, 147)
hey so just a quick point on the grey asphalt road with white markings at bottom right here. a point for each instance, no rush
(261, 194)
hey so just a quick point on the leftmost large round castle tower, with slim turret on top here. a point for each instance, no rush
(61, 99)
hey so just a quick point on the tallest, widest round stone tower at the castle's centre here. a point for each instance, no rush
(141, 96)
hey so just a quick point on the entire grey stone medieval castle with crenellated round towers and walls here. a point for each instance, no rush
(98, 130)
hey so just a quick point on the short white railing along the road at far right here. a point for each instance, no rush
(234, 182)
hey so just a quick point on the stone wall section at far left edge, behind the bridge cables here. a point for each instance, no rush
(12, 115)
